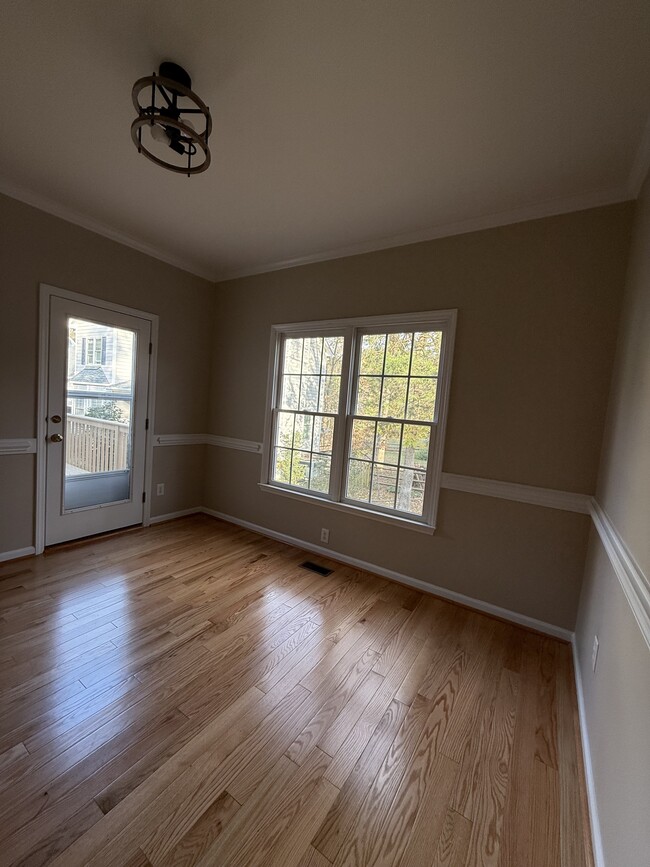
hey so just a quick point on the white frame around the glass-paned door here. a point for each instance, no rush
(46, 291)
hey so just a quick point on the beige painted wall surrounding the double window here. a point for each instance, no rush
(538, 307)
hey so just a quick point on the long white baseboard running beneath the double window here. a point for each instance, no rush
(443, 592)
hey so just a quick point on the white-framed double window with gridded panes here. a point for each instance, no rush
(357, 410)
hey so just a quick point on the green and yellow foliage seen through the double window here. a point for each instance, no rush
(397, 382)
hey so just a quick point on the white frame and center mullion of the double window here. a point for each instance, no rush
(351, 330)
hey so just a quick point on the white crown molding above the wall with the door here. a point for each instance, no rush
(28, 197)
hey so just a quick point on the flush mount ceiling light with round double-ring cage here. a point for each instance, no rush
(165, 123)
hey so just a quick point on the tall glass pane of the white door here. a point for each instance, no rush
(98, 421)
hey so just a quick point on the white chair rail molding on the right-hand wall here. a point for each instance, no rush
(634, 583)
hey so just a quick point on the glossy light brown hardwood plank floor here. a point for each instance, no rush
(189, 695)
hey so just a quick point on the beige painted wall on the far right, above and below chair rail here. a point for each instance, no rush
(617, 695)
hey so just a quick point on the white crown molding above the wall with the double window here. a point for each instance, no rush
(550, 208)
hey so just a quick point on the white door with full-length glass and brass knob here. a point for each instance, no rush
(98, 374)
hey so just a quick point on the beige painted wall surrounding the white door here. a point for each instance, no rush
(38, 248)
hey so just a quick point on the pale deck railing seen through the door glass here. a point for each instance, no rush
(96, 445)
